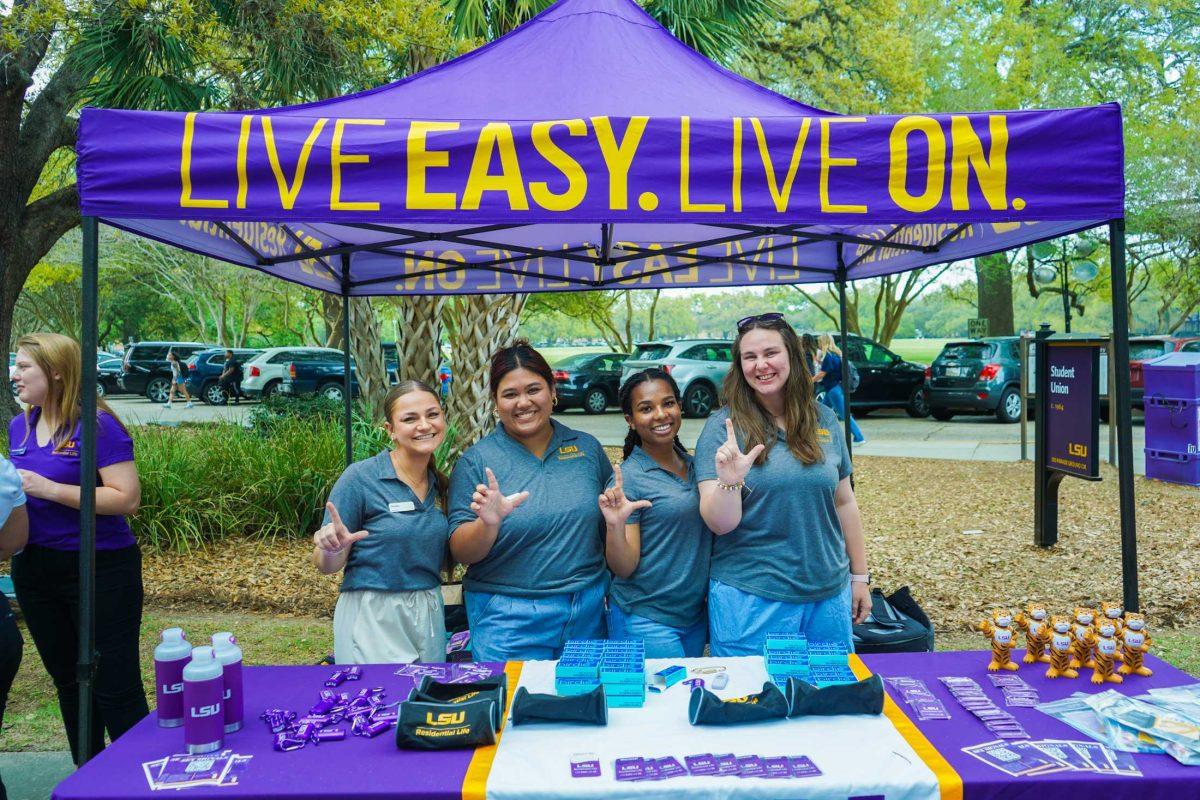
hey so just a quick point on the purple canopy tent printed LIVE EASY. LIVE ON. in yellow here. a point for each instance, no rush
(590, 149)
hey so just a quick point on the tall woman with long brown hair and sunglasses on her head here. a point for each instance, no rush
(775, 488)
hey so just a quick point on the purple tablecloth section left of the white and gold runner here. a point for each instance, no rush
(355, 768)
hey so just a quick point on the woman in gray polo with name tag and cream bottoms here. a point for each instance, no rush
(386, 526)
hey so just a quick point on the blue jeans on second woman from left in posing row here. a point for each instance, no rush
(507, 628)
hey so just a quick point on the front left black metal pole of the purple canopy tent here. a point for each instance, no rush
(87, 660)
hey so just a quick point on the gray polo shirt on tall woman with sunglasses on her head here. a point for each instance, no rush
(789, 546)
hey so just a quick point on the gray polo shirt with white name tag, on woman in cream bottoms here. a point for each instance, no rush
(407, 539)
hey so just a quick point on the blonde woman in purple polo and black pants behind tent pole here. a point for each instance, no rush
(45, 447)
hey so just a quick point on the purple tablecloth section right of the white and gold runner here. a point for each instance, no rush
(1165, 779)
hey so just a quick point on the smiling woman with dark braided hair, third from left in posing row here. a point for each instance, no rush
(658, 546)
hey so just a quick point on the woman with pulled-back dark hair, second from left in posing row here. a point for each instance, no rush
(525, 521)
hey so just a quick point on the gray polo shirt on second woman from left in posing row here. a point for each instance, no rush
(554, 543)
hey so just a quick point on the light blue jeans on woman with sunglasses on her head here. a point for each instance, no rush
(739, 623)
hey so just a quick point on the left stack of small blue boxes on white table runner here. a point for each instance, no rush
(617, 664)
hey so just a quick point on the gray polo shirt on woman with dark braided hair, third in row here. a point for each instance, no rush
(671, 580)
